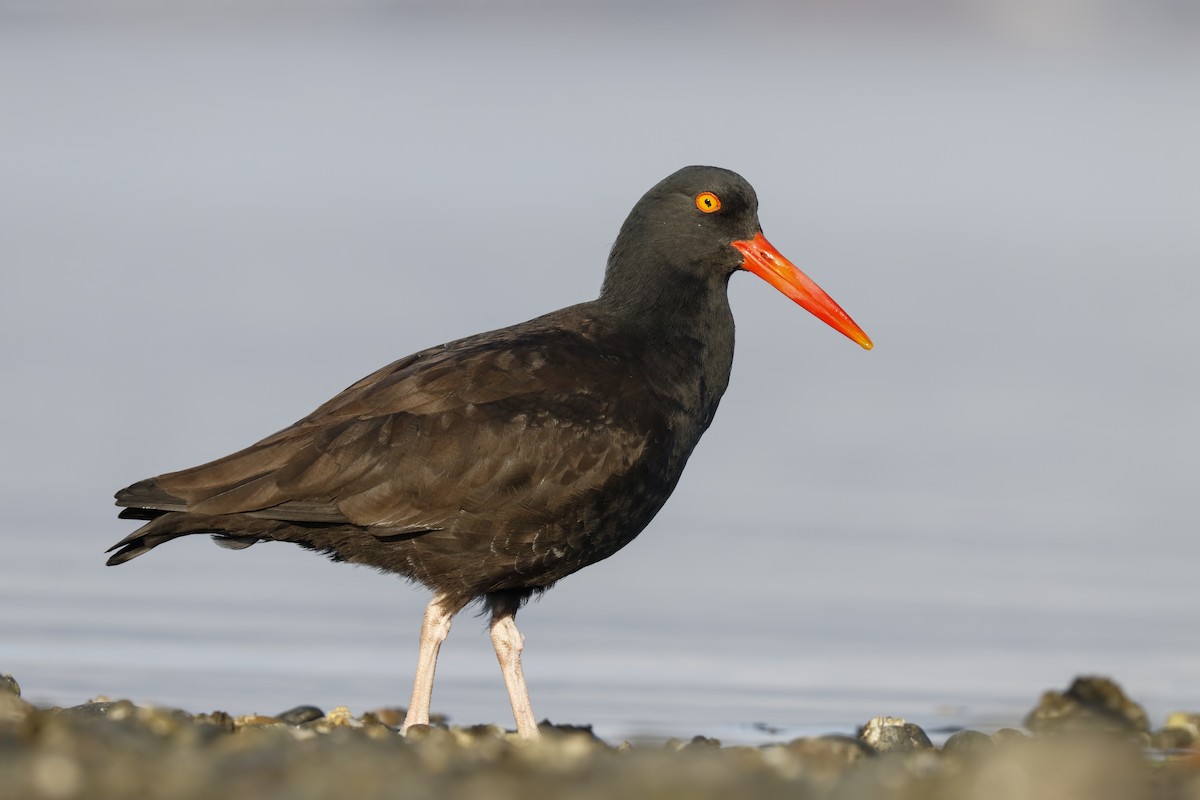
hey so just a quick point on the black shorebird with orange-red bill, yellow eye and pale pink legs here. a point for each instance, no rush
(489, 468)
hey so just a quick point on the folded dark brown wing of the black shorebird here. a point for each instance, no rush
(489, 428)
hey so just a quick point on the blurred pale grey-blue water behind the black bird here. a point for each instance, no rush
(217, 215)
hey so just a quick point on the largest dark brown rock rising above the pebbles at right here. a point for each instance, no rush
(1091, 705)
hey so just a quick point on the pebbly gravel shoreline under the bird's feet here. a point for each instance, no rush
(1089, 742)
